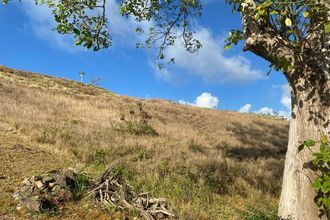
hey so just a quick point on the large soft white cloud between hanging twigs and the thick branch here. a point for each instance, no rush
(211, 63)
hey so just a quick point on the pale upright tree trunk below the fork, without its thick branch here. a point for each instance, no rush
(297, 196)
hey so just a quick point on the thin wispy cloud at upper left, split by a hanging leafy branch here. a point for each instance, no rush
(42, 23)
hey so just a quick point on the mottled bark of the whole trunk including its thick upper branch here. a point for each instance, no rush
(310, 85)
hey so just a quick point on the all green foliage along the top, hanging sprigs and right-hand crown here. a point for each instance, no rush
(294, 20)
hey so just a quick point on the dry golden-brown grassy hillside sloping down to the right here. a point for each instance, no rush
(209, 164)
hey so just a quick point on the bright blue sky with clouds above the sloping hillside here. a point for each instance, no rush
(214, 77)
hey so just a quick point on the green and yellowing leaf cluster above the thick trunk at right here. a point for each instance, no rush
(300, 23)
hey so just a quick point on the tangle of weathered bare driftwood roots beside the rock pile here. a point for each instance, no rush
(112, 190)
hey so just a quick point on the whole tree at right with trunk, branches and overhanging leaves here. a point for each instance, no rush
(293, 35)
